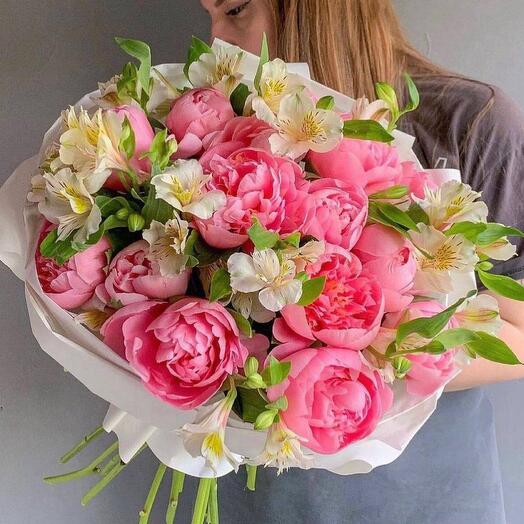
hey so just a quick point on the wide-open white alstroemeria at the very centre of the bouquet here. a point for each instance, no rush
(263, 272)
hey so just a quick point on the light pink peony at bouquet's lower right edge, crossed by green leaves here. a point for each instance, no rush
(428, 372)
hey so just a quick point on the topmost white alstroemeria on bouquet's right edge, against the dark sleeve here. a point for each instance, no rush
(453, 202)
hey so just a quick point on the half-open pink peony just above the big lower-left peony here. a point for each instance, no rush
(133, 277)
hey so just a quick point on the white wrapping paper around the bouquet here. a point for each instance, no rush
(135, 415)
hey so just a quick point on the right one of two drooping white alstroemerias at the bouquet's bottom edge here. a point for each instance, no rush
(283, 450)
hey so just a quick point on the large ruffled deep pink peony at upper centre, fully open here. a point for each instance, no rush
(256, 184)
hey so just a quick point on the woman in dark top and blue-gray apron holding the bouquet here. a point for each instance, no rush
(449, 473)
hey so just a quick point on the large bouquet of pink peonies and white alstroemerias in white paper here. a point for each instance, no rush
(253, 269)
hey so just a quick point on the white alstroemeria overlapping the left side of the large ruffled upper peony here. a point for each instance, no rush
(183, 187)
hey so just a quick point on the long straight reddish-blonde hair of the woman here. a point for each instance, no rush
(349, 44)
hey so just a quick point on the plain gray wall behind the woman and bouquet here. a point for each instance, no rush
(51, 53)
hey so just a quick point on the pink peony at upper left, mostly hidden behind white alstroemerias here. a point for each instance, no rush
(144, 135)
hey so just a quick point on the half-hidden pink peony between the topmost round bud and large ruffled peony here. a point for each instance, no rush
(239, 133)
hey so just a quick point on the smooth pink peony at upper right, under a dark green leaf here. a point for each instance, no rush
(372, 165)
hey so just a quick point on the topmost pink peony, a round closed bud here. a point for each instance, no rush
(194, 116)
